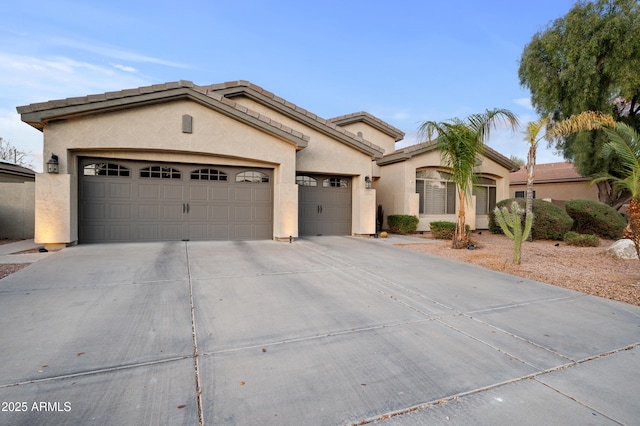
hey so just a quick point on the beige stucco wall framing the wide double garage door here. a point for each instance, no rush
(154, 133)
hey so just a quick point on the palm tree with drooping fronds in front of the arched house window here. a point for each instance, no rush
(460, 142)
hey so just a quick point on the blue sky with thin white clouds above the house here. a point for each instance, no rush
(402, 61)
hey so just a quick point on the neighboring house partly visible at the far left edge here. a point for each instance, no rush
(17, 205)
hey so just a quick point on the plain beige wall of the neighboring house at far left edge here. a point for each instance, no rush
(17, 209)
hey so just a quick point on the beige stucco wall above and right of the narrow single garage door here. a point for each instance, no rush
(326, 155)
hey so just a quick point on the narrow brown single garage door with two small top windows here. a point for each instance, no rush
(324, 205)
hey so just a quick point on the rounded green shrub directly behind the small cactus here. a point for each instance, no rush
(551, 222)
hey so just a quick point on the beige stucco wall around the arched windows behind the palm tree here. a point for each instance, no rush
(397, 192)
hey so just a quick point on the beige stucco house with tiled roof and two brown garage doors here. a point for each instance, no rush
(230, 161)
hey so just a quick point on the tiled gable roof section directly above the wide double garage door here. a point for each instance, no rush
(38, 114)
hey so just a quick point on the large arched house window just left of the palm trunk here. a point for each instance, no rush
(437, 192)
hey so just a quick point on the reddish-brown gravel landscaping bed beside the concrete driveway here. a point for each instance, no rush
(585, 269)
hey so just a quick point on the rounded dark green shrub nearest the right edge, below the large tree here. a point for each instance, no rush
(594, 217)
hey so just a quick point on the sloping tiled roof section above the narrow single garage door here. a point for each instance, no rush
(232, 89)
